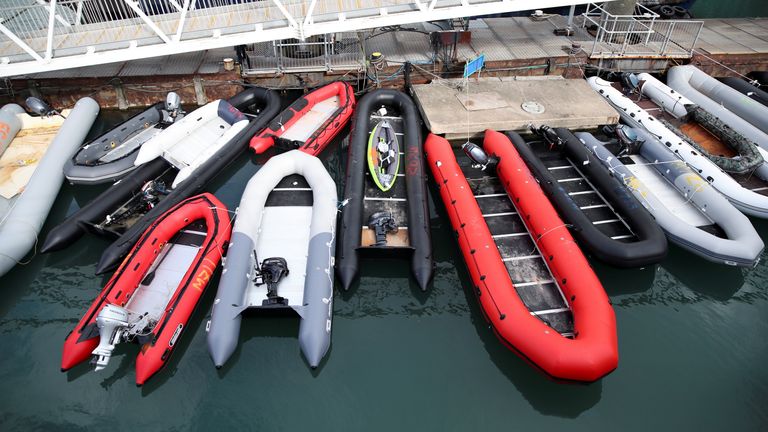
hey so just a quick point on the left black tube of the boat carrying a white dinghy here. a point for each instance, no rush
(72, 228)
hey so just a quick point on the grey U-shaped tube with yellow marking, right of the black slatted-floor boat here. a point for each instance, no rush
(742, 246)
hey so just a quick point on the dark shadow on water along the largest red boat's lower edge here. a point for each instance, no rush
(567, 400)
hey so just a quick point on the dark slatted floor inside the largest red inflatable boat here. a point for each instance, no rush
(526, 267)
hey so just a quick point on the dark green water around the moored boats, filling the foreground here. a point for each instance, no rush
(692, 341)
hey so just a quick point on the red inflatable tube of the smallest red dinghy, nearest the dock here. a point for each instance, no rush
(323, 135)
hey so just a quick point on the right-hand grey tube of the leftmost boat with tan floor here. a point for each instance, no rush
(21, 226)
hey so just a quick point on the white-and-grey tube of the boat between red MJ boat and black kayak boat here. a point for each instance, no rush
(317, 305)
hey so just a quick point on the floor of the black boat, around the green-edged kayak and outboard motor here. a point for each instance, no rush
(394, 200)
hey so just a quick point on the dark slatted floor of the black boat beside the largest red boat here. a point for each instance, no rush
(584, 194)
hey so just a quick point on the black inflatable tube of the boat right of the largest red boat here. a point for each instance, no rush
(651, 246)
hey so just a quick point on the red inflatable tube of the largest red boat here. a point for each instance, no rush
(593, 352)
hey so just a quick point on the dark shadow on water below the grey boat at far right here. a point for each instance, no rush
(715, 281)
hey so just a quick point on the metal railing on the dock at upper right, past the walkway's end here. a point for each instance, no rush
(640, 35)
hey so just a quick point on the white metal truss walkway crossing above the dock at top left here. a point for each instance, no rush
(47, 35)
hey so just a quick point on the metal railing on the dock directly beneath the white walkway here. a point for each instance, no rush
(321, 53)
